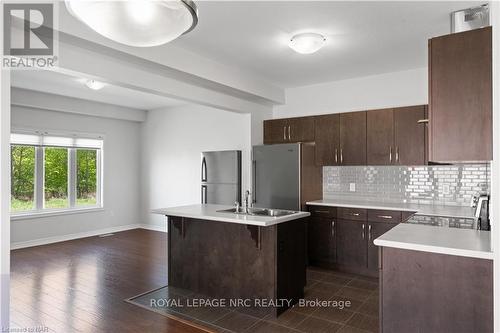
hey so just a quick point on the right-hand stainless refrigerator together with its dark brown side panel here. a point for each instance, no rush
(284, 176)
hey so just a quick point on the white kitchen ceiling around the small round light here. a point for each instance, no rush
(364, 38)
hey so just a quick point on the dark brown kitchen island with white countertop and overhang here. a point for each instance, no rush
(253, 258)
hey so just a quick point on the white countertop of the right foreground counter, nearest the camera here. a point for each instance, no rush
(451, 241)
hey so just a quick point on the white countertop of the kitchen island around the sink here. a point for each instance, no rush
(212, 213)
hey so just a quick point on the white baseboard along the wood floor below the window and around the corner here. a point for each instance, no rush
(57, 239)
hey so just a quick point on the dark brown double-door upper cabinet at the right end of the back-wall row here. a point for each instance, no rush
(397, 136)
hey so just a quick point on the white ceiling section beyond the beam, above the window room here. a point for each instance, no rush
(62, 84)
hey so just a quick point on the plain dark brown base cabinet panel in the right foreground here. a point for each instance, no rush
(432, 292)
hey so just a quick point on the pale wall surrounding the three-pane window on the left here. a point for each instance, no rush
(121, 176)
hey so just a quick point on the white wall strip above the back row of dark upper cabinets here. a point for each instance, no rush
(370, 92)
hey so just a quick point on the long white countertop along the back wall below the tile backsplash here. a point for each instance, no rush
(431, 210)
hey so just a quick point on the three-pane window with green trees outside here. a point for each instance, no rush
(54, 173)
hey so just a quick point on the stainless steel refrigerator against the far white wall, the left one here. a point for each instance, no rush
(221, 177)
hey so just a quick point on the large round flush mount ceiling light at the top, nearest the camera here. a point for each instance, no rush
(141, 23)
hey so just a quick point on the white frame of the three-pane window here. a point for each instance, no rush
(39, 183)
